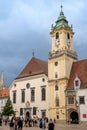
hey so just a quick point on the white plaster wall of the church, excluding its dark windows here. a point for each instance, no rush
(35, 81)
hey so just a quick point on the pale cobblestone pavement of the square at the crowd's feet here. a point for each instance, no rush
(57, 127)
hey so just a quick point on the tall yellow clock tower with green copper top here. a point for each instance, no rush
(61, 57)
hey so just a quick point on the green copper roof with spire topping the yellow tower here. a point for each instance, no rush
(61, 21)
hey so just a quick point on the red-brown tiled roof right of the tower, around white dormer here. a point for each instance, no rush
(79, 69)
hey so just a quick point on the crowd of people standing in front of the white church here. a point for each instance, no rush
(17, 123)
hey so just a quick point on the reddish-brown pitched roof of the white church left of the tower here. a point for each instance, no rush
(34, 67)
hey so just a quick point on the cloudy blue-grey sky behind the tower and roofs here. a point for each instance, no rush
(25, 26)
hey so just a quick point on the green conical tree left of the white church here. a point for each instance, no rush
(8, 108)
